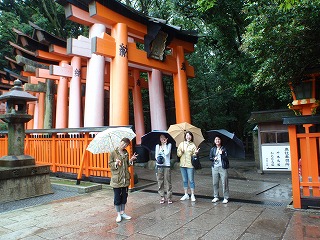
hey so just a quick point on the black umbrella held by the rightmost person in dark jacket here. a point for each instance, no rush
(234, 145)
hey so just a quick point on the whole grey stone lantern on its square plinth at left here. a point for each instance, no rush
(19, 176)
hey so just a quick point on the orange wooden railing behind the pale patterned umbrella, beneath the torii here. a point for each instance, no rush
(65, 151)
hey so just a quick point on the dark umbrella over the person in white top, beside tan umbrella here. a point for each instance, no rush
(151, 139)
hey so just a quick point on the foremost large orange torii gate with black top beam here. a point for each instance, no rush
(126, 27)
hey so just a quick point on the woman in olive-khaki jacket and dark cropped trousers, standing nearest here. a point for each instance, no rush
(119, 163)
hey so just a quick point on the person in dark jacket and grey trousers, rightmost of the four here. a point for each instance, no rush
(220, 164)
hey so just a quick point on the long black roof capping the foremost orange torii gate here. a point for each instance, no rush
(120, 8)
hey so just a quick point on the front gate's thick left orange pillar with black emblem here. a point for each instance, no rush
(119, 92)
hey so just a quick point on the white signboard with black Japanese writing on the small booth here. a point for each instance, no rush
(276, 158)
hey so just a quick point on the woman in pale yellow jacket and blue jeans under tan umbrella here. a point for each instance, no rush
(185, 151)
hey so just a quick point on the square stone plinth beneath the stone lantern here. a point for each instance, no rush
(24, 181)
